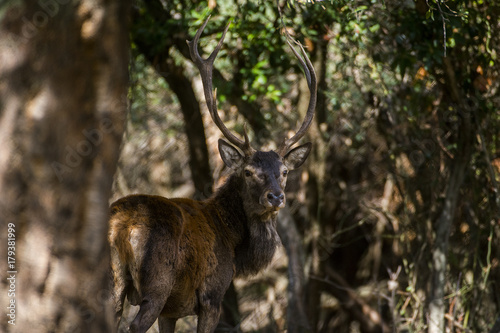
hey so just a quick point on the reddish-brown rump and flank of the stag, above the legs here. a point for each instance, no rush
(176, 234)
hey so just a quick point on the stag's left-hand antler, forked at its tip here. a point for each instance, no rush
(205, 67)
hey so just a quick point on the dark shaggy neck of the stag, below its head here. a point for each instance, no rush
(252, 230)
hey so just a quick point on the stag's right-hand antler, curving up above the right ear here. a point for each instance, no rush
(312, 84)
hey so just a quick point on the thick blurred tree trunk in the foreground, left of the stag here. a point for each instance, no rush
(63, 93)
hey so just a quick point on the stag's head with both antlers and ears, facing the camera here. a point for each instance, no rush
(264, 174)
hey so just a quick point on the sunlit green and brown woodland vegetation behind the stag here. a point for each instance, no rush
(393, 223)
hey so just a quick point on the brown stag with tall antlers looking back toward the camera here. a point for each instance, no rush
(177, 257)
